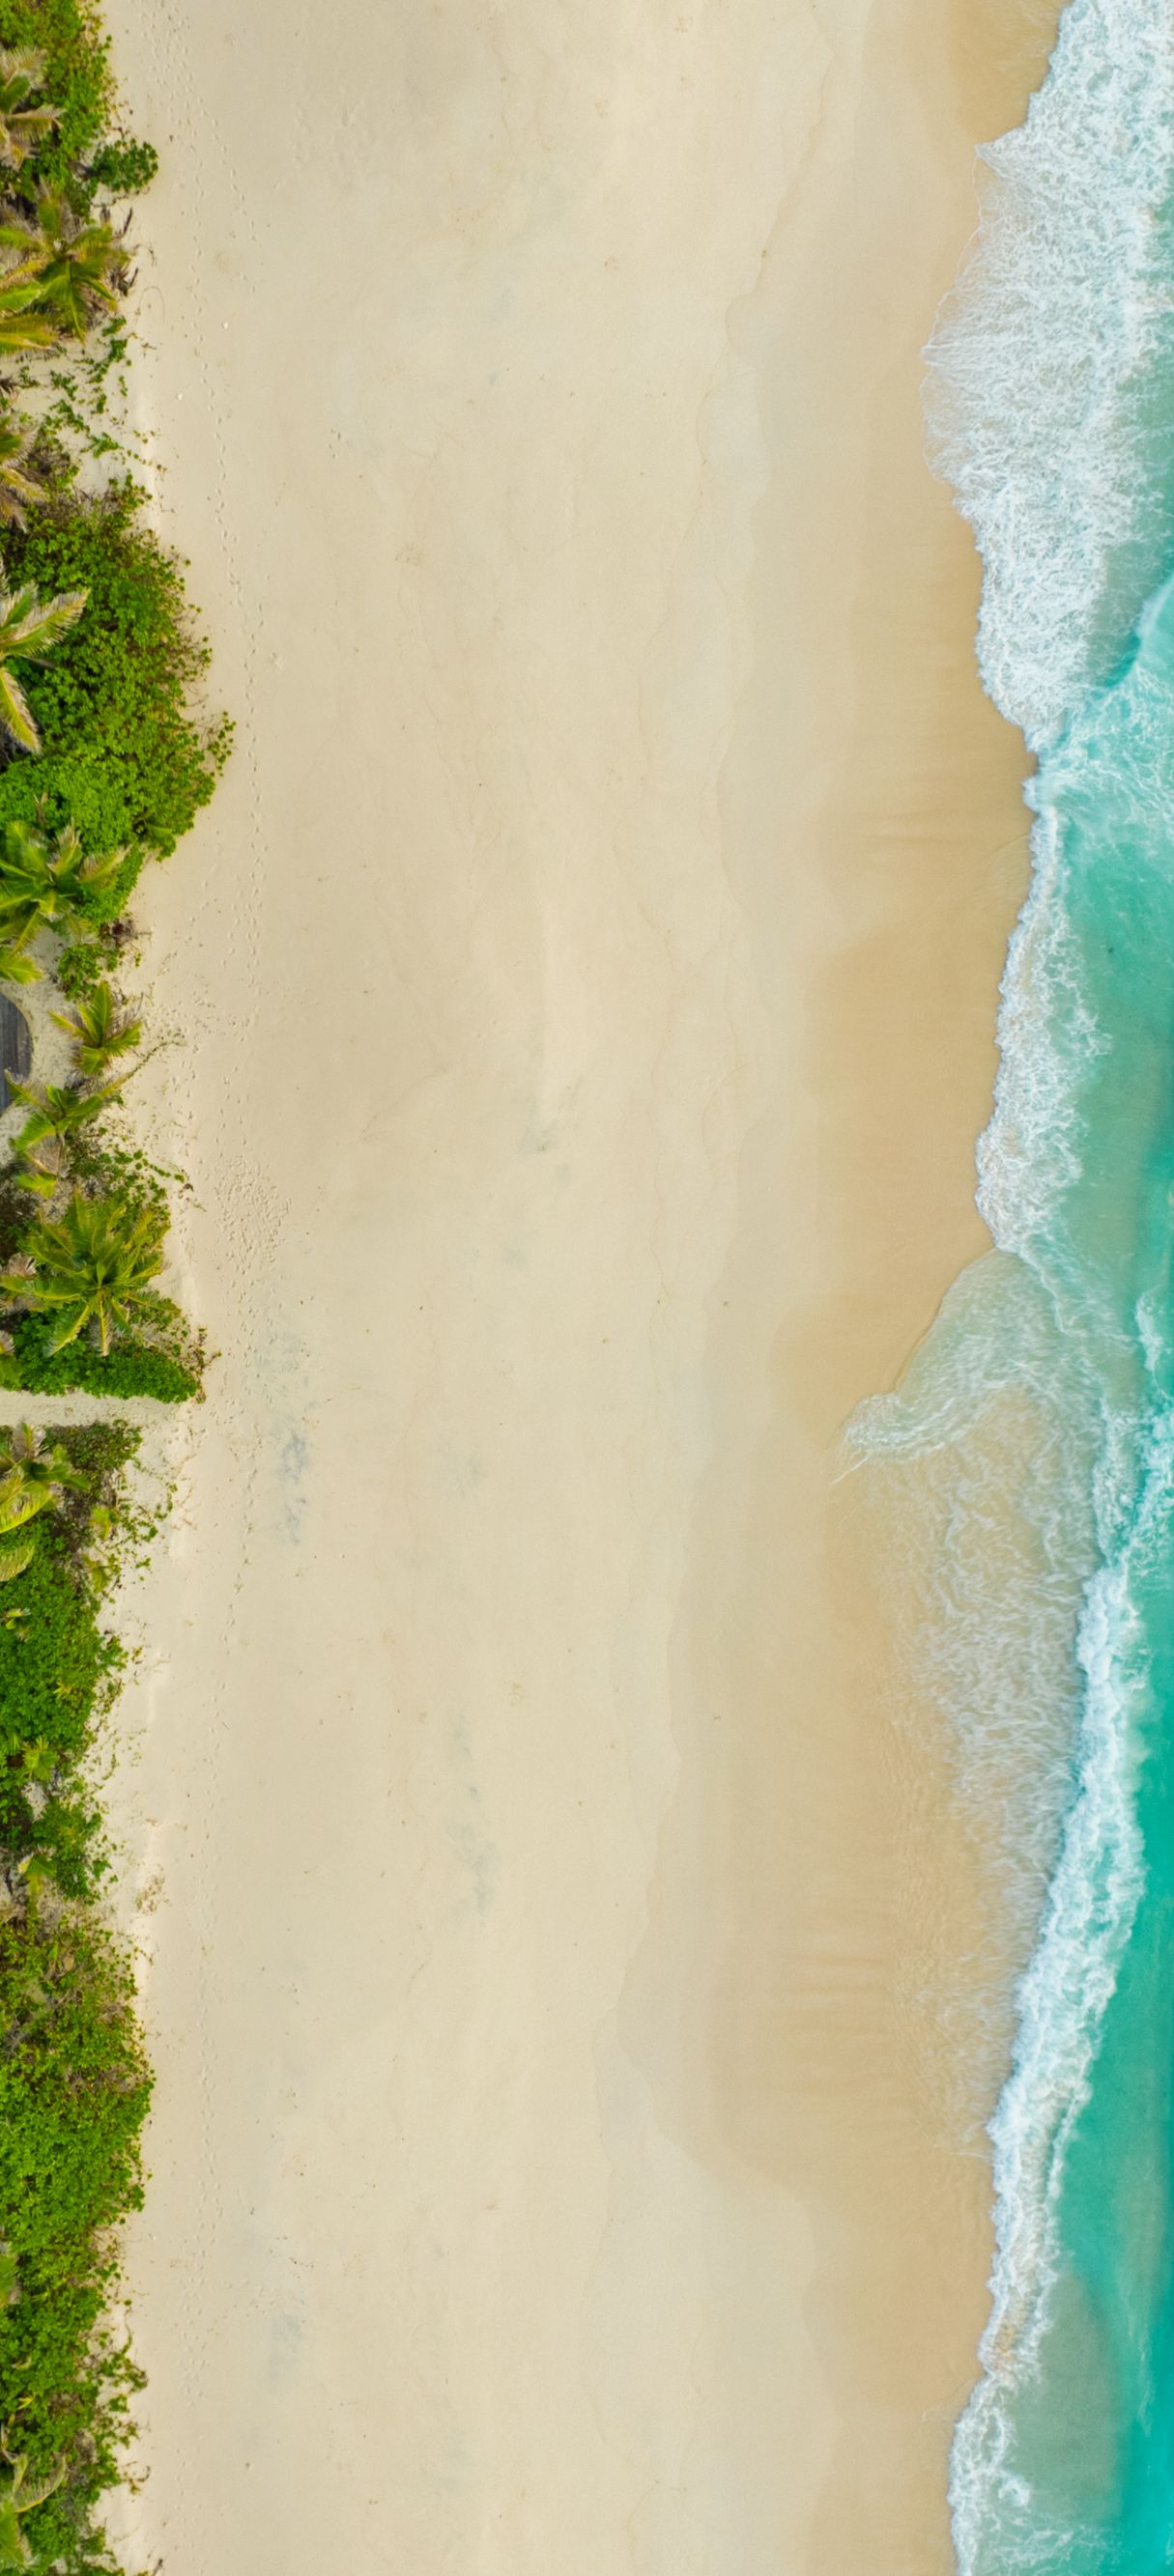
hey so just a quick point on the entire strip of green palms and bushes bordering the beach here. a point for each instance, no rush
(104, 764)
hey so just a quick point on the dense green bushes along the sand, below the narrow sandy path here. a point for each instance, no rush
(73, 2078)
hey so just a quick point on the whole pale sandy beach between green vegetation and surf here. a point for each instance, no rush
(588, 978)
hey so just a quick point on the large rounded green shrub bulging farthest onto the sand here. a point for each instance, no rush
(125, 759)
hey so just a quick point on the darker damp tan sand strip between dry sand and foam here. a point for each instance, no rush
(846, 1895)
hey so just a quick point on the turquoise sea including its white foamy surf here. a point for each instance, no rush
(1052, 1364)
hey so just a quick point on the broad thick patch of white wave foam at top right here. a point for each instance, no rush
(1049, 354)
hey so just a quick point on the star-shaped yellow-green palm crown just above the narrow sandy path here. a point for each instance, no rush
(89, 1269)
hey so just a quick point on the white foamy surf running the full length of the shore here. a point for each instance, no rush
(1052, 411)
